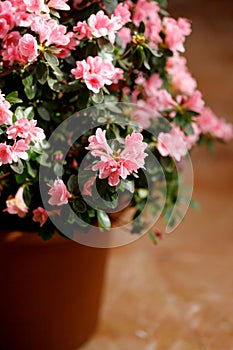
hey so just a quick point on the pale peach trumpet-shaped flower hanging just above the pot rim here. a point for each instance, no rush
(17, 205)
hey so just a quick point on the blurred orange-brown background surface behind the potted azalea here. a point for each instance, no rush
(178, 295)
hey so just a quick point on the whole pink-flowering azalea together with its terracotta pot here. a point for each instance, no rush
(98, 112)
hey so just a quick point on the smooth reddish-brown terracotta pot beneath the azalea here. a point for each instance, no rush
(50, 292)
